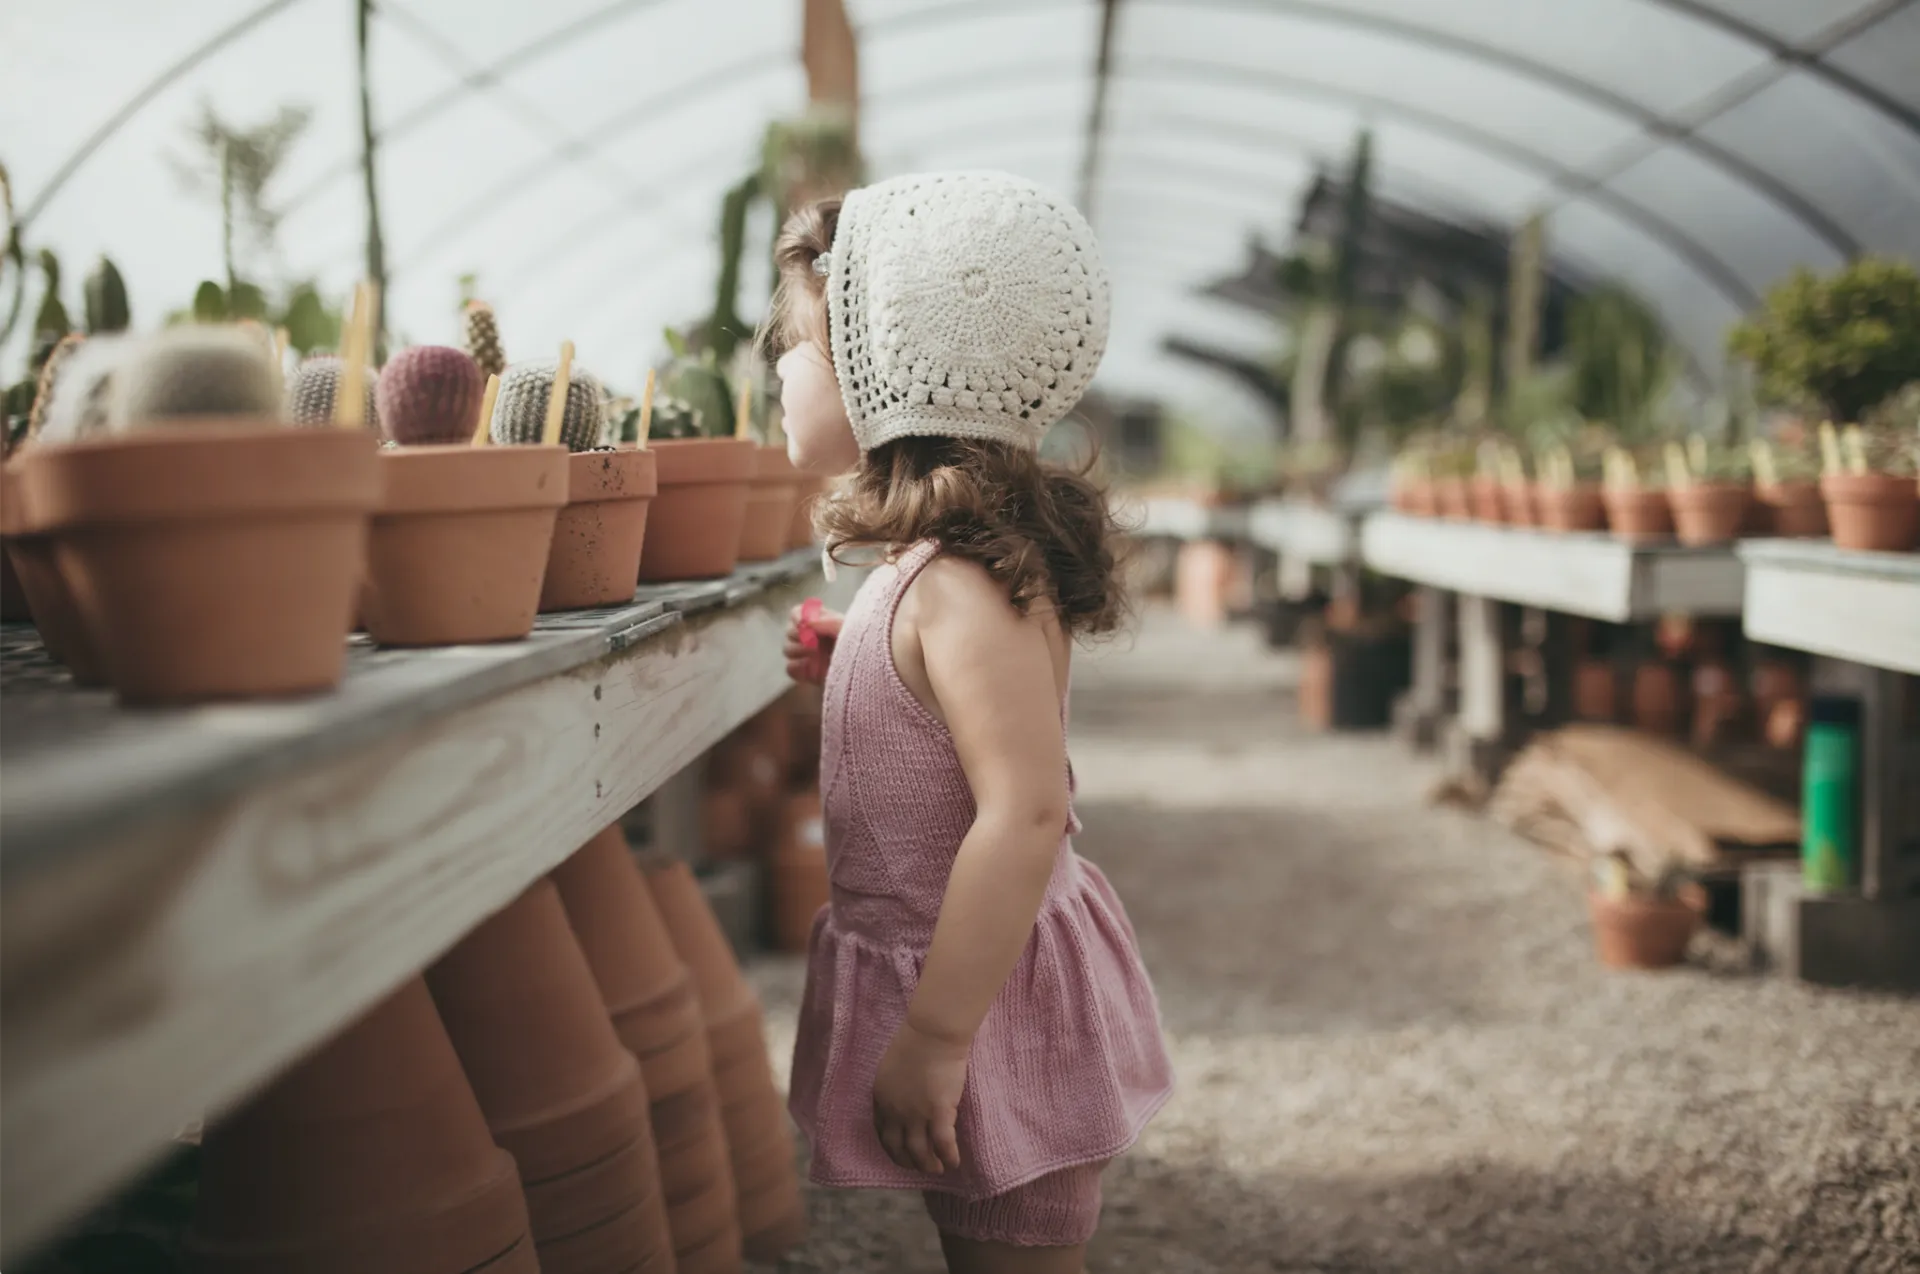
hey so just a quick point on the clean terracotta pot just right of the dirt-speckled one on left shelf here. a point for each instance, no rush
(702, 509)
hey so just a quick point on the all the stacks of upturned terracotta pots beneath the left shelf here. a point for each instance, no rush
(581, 1087)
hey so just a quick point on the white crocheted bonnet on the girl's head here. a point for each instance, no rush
(963, 306)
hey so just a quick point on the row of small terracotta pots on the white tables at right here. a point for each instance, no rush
(1865, 511)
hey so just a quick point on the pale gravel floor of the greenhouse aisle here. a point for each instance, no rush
(1395, 1047)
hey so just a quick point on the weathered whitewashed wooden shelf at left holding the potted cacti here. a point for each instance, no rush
(195, 899)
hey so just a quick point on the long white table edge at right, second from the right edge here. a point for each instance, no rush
(1585, 575)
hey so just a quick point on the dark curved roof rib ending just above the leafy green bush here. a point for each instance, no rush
(1798, 206)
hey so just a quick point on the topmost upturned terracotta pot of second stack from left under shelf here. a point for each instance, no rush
(517, 979)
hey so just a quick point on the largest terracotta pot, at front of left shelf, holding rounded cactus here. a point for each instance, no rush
(210, 561)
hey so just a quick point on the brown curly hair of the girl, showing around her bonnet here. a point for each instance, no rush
(1042, 531)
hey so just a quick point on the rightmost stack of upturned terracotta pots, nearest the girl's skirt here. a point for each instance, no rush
(759, 1135)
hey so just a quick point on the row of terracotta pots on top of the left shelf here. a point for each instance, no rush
(229, 561)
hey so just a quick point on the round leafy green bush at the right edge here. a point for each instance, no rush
(1836, 344)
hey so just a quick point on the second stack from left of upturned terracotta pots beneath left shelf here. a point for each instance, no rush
(558, 1089)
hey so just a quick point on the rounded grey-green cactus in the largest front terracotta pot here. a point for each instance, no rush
(195, 371)
